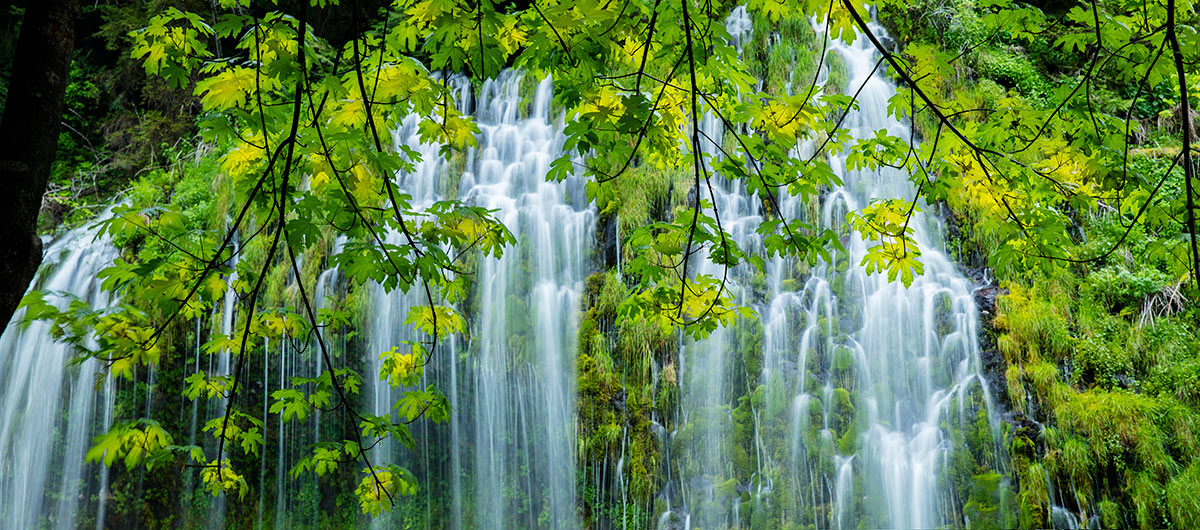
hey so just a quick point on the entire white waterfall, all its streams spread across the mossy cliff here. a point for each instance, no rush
(835, 409)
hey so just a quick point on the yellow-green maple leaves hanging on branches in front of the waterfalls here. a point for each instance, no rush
(305, 129)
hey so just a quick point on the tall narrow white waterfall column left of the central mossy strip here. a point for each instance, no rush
(507, 459)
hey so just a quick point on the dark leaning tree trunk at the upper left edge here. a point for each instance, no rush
(29, 137)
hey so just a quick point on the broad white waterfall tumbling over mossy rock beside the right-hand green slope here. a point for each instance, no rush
(845, 421)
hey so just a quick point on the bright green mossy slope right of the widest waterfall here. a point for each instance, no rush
(1096, 352)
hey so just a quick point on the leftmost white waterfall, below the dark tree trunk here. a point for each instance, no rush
(49, 409)
